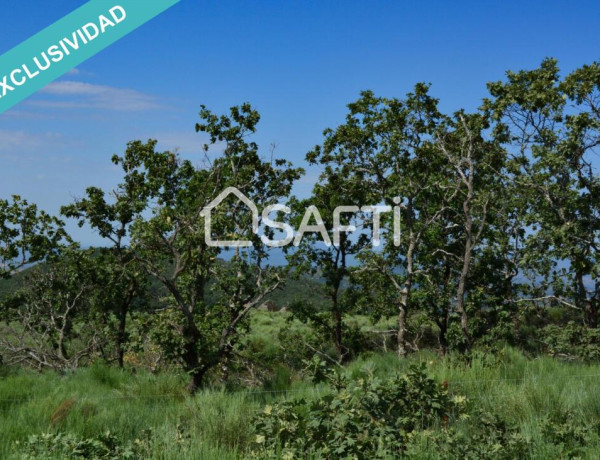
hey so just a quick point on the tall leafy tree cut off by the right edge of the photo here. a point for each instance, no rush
(551, 127)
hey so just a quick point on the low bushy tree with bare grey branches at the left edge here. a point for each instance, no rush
(48, 319)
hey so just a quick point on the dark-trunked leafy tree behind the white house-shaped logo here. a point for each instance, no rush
(171, 243)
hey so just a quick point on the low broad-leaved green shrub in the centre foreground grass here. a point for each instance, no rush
(364, 418)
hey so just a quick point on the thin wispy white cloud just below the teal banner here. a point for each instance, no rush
(79, 95)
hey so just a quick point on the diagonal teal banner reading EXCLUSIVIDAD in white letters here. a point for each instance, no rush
(68, 42)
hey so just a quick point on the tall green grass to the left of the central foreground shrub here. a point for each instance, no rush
(218, 423)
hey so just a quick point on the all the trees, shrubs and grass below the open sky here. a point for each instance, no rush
(471, 334)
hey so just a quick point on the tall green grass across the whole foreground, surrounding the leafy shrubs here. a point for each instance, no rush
(154, 409)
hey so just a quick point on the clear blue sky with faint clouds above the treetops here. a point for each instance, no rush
(298, 62)
